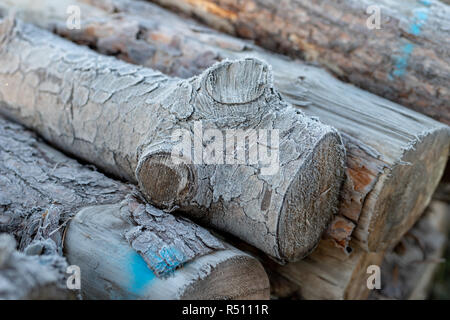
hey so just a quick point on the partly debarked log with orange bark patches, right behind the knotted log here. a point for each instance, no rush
(395, 157)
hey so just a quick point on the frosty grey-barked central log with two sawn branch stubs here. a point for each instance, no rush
(133, 121)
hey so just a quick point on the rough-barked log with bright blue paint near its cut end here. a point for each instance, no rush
(125, 248)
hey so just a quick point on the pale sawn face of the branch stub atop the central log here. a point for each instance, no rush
(237, 82)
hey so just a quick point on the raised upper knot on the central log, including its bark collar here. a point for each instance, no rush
(235, 93)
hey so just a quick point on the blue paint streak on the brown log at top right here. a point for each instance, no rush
(419, 19)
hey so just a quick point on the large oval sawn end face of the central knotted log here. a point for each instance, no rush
(305, 215)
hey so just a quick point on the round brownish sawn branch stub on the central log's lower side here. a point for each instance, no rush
(164, 182)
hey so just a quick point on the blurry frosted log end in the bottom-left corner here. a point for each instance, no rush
(24, 277)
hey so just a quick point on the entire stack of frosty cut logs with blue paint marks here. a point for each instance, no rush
(355, 172)
